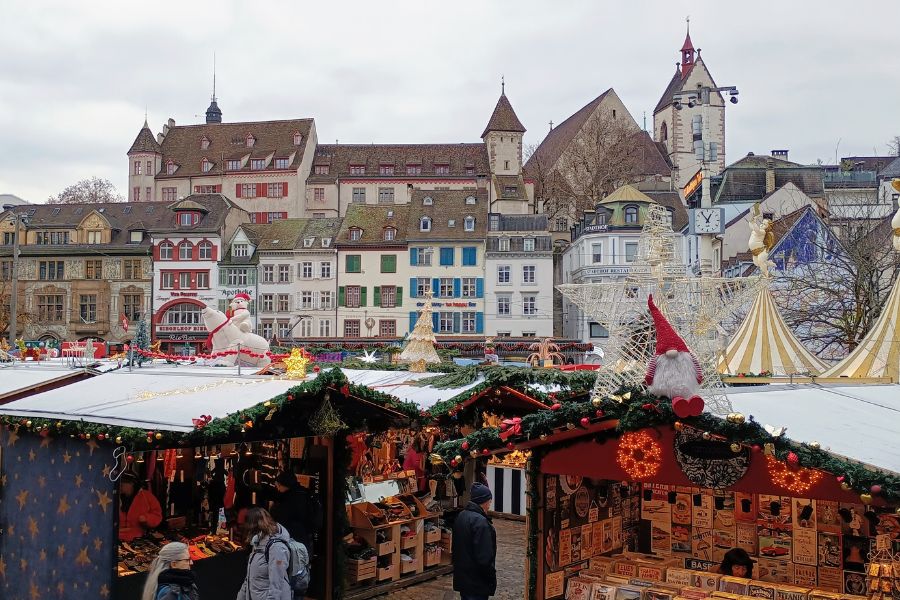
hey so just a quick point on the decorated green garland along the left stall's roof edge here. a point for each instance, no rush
(249, 423)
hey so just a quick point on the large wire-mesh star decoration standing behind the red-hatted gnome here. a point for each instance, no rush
(694, 306)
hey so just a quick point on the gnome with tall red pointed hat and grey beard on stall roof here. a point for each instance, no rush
(674, 372)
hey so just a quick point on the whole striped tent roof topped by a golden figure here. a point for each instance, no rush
(764, 342)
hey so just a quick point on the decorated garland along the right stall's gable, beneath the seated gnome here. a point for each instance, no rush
(634, 409)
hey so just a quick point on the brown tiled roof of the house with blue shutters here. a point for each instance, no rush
(447, 206)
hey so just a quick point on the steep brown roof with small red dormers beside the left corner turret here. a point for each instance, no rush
(182, 145)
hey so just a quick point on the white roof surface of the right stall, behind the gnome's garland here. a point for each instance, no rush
(859, 422)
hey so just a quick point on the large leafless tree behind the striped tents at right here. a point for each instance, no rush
(832, 293)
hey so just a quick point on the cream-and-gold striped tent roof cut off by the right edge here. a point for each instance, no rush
(878, 355)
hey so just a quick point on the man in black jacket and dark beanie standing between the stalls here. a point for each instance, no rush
(475, 548)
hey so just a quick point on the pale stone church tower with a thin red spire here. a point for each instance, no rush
(682, 129)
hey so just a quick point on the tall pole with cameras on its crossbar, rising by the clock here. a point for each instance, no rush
(705, 151)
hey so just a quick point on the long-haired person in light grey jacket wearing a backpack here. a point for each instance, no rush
(267, 567)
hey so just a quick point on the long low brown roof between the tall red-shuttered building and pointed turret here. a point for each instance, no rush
(340, 157)
